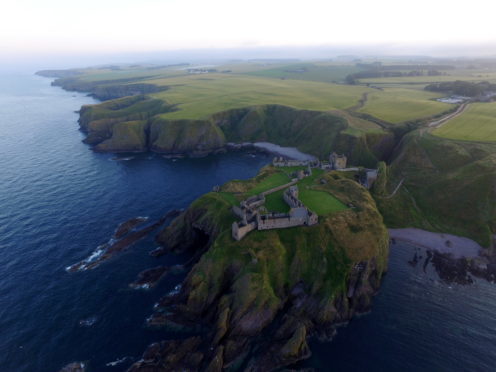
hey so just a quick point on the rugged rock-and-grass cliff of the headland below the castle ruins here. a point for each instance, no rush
(258, 300)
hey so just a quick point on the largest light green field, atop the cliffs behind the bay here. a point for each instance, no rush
(199, 97)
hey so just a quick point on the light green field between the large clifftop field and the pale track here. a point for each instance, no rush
(397, 105)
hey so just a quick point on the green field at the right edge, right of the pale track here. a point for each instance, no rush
(477, 123)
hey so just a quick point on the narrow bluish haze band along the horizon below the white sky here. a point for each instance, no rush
(34, 62)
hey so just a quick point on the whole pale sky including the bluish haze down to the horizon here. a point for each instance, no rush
(57, 34)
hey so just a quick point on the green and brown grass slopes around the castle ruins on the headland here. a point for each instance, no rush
(265, 264)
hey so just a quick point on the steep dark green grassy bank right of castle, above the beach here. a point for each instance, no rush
(449, 186)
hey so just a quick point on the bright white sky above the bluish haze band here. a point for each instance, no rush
(72, 27)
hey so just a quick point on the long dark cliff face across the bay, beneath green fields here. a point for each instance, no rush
(139, 116)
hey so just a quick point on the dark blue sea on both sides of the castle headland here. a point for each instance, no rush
(59, 201)
